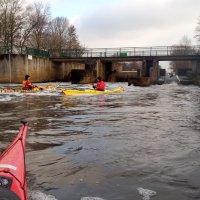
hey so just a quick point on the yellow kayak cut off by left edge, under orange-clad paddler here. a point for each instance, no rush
(37, 89)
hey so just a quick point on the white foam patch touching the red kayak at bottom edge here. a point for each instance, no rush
(38, 195)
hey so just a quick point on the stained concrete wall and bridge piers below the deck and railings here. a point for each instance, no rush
(13, 68)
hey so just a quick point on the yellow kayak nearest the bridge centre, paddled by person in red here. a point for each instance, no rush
(91, 91)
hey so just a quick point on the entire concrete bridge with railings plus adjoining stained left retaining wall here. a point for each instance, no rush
(84, 65)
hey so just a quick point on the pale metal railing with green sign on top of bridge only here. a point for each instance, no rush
(126, 51)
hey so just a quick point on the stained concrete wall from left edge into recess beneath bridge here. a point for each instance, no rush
(40, 69)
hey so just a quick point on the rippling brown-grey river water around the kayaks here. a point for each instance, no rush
(108, 146)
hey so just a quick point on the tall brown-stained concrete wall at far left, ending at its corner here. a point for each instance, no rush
(14, 69)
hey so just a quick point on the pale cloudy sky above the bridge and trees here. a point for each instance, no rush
(129, 23)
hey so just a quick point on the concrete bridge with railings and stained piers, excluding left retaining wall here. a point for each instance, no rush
(105, 61)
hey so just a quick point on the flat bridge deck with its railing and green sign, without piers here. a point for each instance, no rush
(160, 53)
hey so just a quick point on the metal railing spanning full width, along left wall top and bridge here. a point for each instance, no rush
(105, 52)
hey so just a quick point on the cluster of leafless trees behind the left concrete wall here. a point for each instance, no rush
(31, 26)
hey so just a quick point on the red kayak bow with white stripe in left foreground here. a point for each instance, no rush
(13, 167)
